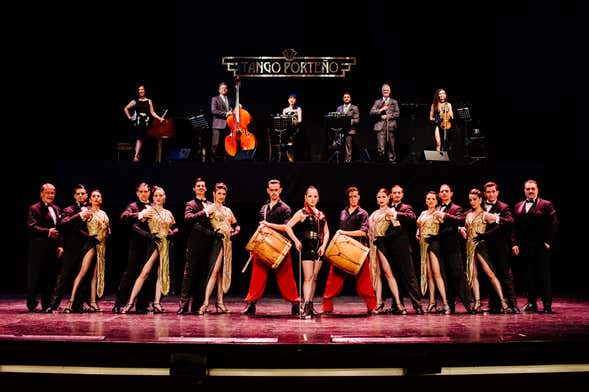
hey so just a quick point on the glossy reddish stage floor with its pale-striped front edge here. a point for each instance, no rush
(222, 348)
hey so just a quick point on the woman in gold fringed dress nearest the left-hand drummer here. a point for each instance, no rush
(224, 222)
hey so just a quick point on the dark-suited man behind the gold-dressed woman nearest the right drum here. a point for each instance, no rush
(399, 248)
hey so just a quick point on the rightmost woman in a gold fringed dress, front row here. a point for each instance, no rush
(474, 234)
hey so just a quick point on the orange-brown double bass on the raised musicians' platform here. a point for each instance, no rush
(240, 138)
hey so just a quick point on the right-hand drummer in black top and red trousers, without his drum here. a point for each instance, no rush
(353, 223)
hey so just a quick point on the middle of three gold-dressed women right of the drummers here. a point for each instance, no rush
(431, 275)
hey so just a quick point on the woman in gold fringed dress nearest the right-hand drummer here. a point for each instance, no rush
(378, 223)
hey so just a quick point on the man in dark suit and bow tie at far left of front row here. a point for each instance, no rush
(44, 248)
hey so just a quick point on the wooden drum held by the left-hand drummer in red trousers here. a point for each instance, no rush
(269, 246)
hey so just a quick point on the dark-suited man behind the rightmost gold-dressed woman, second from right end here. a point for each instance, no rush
(497, 235)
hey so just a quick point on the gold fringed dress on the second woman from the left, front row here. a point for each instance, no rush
(160, 223)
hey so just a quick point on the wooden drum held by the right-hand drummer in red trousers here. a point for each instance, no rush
(346, 253)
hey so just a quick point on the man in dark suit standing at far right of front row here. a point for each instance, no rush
(534, 229)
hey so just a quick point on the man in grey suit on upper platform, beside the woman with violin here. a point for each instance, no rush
(386, 111)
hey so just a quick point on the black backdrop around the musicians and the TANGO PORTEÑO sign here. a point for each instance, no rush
(74, 68)
